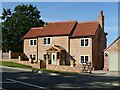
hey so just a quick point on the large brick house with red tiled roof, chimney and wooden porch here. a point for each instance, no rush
(67, 44)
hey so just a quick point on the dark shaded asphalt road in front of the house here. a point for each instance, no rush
(16, 79)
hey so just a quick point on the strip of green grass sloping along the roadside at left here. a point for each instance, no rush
(13, 64)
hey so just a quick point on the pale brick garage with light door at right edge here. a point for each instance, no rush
(111, 55)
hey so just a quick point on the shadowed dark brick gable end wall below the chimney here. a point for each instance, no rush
(99, 44)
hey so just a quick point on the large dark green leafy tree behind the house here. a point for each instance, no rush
(16, 24)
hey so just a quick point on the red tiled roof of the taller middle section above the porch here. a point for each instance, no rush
(58, 28)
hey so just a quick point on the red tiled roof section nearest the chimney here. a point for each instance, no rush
(85, 28)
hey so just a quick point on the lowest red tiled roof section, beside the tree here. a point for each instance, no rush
(33, 32)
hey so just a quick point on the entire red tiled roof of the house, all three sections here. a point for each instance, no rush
(72, 28)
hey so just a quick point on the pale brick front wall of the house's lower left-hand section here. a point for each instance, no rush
(28, 49)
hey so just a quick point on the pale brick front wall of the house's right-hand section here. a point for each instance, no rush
(76, 50)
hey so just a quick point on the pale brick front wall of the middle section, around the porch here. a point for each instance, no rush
(56, 40)
